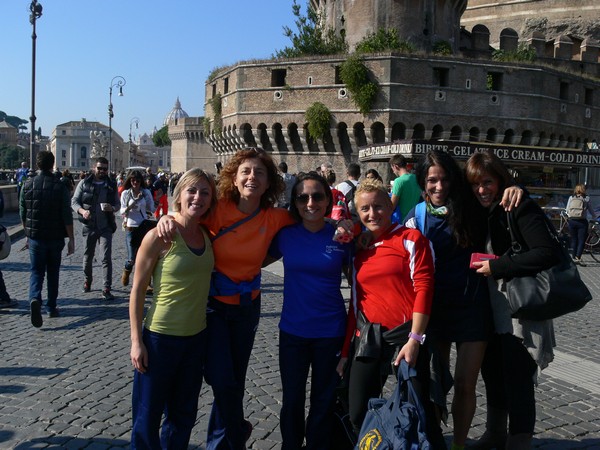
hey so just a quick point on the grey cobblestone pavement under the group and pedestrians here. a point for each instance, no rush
(68, 384)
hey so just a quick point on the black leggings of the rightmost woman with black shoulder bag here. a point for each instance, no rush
(507, 371)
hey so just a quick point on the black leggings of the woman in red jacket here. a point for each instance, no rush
(367, 381)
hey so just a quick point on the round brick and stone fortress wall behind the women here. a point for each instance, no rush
(554, 102)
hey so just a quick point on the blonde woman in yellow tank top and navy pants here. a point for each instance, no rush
(168, 348)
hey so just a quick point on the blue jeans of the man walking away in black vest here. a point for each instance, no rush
(45, 257)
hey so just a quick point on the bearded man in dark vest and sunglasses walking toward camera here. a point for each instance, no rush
(95, 200)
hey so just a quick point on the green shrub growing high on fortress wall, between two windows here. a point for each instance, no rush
(355, 75)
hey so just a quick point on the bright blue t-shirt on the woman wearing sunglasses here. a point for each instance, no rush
(313, 306)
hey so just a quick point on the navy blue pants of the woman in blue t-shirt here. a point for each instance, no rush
(296, 356)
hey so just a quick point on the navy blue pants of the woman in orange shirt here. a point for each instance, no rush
(231, 330)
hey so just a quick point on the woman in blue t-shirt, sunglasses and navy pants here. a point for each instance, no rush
(313, 317)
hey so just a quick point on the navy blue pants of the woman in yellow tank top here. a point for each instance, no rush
(171, 386)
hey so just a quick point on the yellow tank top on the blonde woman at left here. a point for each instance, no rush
(181, 284)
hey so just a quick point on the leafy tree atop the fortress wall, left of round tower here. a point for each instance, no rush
(312, 37)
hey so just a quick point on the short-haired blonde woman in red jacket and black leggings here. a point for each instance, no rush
(393, 288)
